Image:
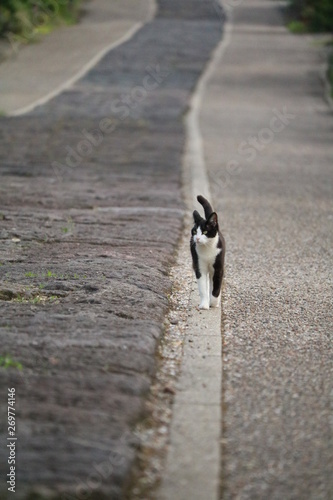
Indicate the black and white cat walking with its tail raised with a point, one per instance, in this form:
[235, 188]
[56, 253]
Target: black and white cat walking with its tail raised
[207, 249]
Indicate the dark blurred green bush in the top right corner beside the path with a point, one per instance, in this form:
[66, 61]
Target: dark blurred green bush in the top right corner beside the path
[311, 16]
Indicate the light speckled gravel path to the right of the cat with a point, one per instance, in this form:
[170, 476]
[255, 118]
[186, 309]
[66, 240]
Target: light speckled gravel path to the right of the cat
[268, 147]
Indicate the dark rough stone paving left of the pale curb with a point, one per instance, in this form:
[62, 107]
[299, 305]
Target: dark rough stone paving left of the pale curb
[91, 213]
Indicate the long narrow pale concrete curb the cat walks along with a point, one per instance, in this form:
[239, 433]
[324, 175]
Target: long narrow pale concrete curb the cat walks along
[193, 463]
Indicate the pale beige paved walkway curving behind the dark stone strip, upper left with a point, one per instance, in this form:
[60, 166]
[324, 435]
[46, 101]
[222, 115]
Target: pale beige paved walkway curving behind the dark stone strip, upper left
[38, 71]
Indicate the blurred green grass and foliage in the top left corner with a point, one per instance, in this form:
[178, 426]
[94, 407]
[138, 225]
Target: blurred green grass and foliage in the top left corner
[24, 19]
